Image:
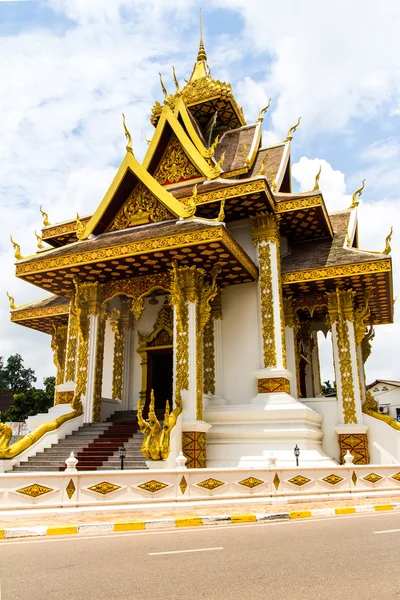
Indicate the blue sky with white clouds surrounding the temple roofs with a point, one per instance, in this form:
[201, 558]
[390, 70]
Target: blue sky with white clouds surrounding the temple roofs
[69, 68]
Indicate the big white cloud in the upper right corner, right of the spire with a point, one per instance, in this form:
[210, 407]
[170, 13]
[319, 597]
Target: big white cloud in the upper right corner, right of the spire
[331, 61]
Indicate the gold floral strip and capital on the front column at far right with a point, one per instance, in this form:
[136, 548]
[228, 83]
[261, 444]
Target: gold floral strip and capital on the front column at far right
[341, 313]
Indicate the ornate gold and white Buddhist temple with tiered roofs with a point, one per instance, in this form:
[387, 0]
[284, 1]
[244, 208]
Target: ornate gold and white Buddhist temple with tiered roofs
[194, 294]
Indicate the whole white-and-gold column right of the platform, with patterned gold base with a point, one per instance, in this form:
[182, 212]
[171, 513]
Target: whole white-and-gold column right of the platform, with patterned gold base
[352, 434]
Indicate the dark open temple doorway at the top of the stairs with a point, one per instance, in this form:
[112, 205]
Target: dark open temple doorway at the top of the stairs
[159, 377]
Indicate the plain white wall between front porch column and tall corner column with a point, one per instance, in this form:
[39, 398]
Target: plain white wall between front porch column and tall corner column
[240, 351]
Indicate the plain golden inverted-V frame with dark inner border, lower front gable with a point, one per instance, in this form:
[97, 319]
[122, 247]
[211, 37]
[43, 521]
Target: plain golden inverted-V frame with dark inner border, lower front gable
[110, 205]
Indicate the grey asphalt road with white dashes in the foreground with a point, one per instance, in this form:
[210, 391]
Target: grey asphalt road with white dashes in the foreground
[341, 557]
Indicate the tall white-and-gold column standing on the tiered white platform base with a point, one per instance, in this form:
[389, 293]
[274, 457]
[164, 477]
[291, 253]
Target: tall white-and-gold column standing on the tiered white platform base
[265, 232]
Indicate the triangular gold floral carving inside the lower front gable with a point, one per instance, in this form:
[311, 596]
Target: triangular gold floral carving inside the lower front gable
[140, 207]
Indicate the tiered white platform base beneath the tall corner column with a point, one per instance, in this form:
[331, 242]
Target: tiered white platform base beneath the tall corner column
[246, 435]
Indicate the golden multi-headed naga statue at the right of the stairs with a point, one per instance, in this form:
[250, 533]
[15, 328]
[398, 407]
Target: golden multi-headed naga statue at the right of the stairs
[156, 443]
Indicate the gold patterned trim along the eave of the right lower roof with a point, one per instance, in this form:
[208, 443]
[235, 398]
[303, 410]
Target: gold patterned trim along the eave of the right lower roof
[379, 266]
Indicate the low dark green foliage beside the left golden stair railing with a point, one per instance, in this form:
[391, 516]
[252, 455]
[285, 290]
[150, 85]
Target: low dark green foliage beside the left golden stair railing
[31, 402]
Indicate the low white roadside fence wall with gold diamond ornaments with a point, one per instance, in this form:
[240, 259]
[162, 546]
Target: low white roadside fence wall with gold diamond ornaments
[95, 488]
